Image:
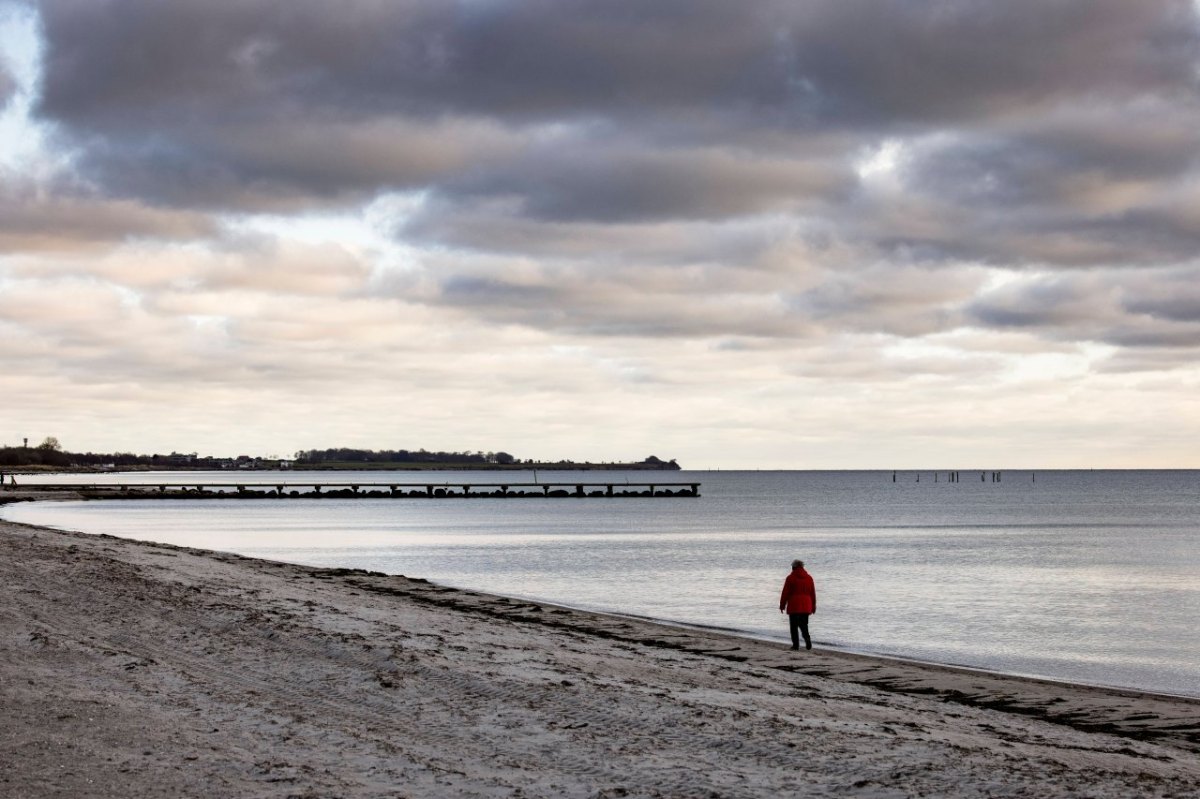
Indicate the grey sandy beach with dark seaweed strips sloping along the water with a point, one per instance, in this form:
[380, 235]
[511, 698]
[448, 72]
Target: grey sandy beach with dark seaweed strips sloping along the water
[139, 670]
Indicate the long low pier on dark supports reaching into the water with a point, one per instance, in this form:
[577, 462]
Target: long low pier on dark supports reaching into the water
[325, 489]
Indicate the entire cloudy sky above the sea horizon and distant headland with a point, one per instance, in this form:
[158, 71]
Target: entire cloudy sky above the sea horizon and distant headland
[742, 235]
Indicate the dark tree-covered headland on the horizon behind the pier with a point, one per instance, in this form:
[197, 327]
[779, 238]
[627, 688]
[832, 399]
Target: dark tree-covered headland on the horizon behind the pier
[50, 456]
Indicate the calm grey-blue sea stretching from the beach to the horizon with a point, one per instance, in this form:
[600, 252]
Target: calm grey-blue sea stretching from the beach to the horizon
[1082, 576]
